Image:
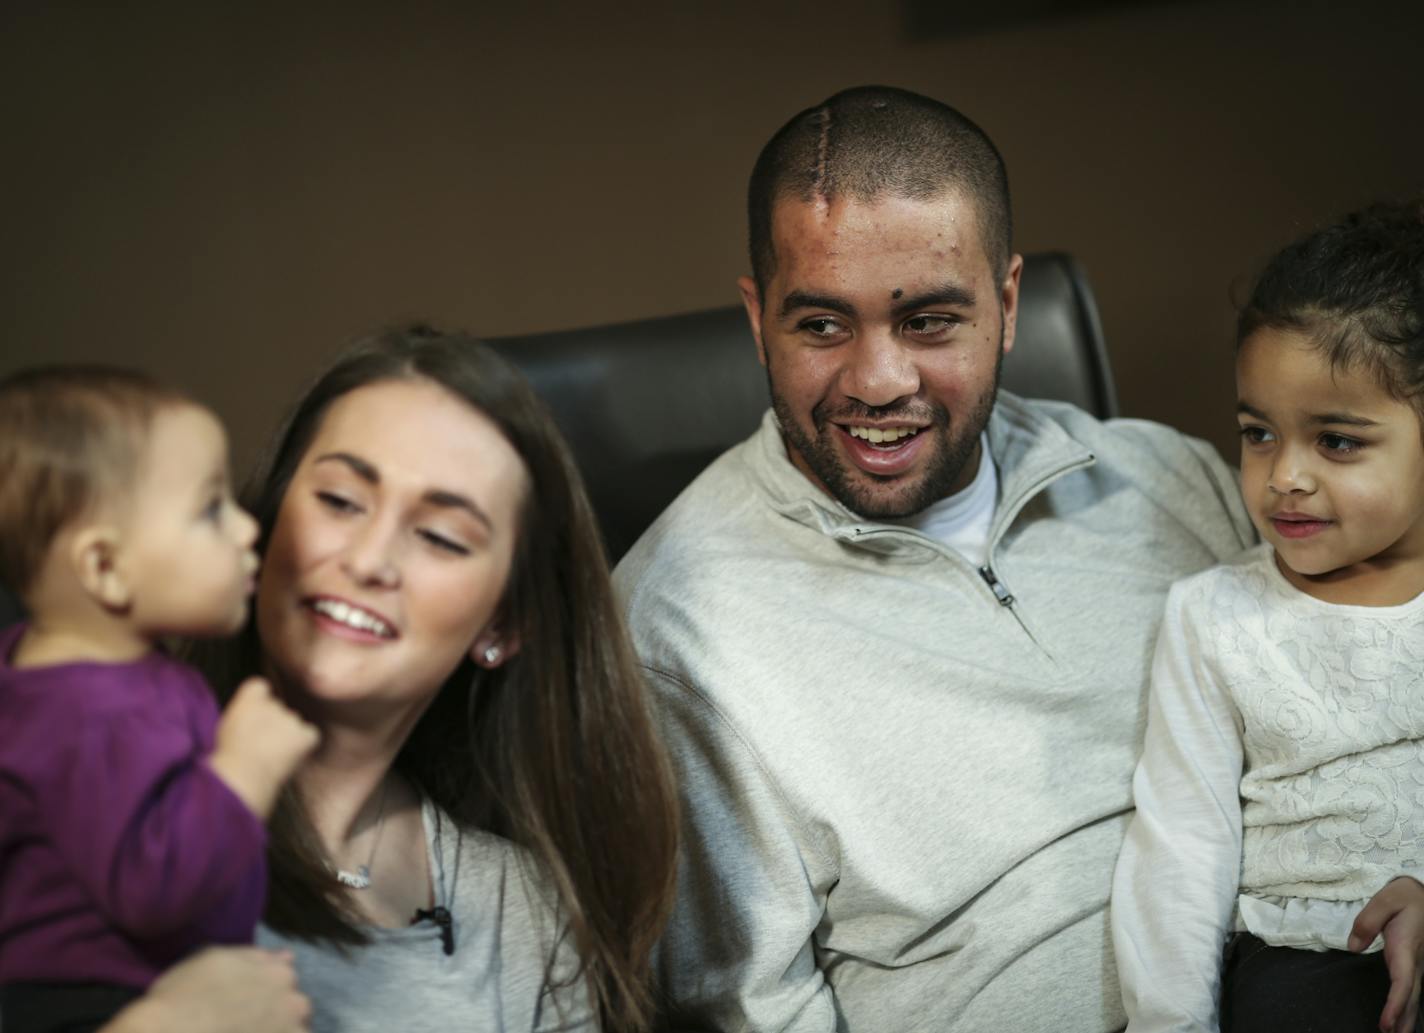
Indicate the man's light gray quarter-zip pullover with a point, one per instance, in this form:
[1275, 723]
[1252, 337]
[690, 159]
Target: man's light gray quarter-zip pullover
[906, 783]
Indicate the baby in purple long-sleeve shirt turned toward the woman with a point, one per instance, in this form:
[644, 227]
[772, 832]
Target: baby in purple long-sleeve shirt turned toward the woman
[132, 826]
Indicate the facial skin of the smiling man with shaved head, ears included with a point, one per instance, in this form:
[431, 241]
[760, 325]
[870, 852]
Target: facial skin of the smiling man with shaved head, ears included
[884, 316]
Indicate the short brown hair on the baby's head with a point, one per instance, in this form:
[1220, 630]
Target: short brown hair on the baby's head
[68, 437]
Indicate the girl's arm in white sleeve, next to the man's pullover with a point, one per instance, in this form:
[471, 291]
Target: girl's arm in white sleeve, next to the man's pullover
[1178, 874]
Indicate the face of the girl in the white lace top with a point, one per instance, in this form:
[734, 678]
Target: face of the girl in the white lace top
[1332, 468]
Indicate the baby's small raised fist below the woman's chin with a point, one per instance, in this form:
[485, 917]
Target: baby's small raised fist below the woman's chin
[260, 744]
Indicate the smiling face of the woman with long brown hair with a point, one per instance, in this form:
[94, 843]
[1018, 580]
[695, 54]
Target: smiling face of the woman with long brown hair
[391, 552]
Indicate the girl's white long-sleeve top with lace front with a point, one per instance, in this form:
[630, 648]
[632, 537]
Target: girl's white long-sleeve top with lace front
[1281, 786]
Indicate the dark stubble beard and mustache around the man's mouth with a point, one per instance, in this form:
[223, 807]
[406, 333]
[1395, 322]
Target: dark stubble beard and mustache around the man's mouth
[849, 487]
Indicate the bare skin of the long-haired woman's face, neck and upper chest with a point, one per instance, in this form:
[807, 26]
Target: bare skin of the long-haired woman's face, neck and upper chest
[421, 539]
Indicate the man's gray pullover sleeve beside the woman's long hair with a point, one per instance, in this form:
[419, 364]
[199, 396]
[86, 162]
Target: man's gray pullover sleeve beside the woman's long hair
[753, 886]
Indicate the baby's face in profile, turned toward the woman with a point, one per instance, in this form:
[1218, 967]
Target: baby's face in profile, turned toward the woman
[187, 548]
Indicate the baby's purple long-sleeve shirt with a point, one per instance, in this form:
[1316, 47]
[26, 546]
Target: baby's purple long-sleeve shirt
[120, 848]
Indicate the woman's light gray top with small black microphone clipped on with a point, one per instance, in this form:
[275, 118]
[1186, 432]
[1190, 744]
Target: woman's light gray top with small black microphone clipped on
[503, 923]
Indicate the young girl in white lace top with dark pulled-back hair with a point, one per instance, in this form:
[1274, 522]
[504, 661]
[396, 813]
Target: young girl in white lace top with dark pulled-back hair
[1281, 793]
